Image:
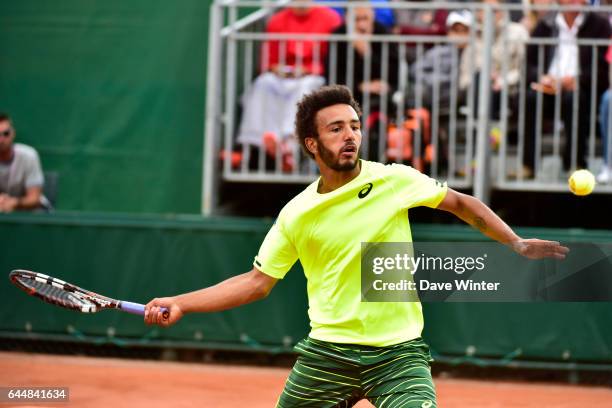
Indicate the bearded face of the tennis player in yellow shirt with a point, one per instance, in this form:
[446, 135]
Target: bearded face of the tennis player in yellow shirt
[339, 137]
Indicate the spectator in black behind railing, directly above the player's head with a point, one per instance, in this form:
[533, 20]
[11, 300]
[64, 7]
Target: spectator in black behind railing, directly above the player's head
[377, 85]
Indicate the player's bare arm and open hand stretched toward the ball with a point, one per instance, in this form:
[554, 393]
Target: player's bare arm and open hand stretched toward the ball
[477, 214]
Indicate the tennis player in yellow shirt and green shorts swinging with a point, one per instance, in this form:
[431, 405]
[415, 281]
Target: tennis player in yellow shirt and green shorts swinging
[355, 349]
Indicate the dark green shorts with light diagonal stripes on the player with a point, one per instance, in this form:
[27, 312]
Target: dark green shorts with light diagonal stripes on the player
[338, 375]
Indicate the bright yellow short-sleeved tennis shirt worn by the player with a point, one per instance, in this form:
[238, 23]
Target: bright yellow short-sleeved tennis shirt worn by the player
[325, 232]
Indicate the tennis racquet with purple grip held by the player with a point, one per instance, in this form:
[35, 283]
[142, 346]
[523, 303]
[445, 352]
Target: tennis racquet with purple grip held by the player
[64, 294]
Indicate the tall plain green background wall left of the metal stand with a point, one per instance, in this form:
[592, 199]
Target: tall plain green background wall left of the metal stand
[111, 93]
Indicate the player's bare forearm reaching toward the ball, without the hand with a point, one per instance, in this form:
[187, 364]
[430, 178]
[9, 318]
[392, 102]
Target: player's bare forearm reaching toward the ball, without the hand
[478, 215]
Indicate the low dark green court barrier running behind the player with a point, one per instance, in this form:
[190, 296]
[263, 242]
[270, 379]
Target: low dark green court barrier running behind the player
[137, 258]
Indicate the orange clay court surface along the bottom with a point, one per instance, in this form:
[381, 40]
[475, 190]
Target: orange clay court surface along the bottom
[116, 383]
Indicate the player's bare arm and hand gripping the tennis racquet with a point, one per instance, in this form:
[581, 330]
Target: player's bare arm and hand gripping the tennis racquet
[230, 293]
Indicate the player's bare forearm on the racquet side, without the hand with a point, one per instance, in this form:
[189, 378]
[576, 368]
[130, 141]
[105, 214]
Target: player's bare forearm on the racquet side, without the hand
[230, 293]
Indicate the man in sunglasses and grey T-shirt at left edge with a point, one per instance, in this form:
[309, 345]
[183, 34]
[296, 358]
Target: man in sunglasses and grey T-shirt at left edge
[21, 177]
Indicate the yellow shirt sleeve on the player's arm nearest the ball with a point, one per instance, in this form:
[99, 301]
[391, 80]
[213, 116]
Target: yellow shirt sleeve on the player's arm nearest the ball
[415, 188]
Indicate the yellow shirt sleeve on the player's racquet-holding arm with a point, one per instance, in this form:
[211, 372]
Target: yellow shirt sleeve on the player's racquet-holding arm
[277, 253]
